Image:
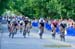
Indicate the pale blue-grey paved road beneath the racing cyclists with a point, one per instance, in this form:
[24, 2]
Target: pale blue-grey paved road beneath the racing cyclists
[33, 41]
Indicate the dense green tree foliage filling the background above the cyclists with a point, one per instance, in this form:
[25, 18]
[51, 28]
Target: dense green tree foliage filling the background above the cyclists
[40, 8]
